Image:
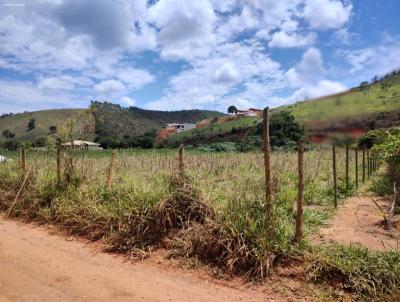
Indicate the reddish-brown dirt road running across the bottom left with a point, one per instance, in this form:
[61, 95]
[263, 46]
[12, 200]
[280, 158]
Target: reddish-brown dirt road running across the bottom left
[38, 266]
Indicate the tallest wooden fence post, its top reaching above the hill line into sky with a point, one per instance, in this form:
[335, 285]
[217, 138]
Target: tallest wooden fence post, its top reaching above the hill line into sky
[267, 167]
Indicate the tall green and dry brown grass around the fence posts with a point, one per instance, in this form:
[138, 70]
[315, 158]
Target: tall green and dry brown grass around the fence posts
[214, 212]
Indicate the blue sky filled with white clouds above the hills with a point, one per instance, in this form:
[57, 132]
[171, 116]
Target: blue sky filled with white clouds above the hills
[190, 54]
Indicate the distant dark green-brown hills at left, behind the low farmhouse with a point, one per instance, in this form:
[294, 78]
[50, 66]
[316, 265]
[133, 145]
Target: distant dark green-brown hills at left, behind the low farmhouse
[97, 121]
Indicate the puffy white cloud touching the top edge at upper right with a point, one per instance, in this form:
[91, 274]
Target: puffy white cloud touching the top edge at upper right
[322, 14]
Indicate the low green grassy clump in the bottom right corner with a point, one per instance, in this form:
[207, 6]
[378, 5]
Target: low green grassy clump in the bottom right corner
[357, 269]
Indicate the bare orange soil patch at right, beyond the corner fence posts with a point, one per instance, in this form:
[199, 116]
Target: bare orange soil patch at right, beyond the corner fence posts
[360, 221]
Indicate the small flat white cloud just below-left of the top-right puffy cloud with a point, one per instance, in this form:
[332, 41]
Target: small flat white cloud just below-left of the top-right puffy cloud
[283, 40]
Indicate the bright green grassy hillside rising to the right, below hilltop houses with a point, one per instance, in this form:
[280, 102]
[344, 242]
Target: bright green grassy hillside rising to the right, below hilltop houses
[375, 105]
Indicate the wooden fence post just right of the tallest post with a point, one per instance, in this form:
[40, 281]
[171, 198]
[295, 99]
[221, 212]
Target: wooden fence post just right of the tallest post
[300, 193]
